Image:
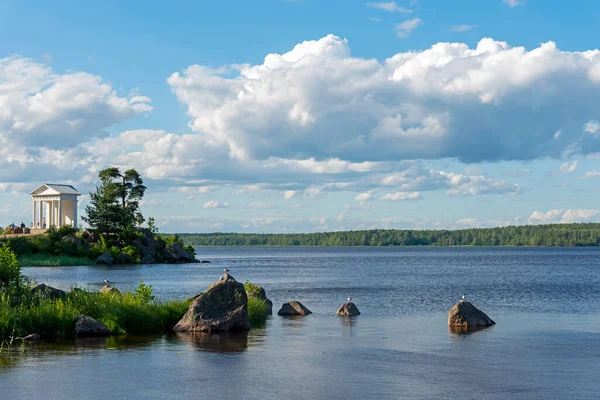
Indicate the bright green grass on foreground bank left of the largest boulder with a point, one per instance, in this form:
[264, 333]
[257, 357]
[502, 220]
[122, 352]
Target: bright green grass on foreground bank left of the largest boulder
[54, 319]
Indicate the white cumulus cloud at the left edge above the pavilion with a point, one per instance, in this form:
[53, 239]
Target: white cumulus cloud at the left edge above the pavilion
[40, 108]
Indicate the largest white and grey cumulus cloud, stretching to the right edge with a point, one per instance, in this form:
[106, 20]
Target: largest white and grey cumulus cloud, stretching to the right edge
[414, 105]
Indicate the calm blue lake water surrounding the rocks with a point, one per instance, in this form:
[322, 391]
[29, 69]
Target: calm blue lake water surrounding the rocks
[546, 344]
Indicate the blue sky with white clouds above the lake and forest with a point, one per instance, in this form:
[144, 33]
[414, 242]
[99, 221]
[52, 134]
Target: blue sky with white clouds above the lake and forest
[305, 116]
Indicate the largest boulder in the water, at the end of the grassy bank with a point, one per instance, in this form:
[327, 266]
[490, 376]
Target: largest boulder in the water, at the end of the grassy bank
[223, 307]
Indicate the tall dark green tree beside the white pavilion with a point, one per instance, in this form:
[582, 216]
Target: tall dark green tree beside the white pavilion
[114, 206]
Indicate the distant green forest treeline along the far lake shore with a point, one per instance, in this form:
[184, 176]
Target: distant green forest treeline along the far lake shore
[587, 234]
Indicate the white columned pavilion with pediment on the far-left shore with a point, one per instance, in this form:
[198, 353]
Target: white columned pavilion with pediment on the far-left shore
[54, 205]
